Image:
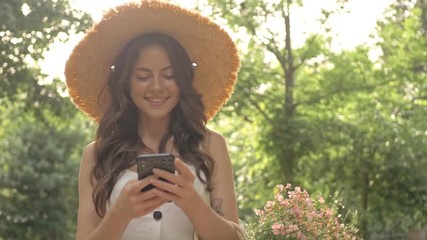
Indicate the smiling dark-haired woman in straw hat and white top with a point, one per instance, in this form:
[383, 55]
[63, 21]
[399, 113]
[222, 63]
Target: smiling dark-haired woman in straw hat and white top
[156, 100]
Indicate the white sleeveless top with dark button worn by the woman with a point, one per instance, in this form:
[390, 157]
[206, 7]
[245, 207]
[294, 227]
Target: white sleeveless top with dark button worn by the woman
[173, 224]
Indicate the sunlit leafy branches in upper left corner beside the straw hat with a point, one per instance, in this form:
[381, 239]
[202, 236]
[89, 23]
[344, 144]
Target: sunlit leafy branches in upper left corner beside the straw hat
[27, 28]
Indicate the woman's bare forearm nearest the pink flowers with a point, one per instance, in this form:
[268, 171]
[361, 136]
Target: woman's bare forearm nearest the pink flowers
[209, 225]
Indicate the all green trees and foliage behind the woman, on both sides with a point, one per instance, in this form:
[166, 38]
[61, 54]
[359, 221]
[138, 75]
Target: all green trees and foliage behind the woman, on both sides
[337, 123]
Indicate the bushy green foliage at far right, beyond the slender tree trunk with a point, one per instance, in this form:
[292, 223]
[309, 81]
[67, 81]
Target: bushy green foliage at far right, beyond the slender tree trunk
[371, 130]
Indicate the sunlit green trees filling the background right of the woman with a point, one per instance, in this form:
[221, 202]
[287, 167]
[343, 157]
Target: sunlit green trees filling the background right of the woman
[357, 131]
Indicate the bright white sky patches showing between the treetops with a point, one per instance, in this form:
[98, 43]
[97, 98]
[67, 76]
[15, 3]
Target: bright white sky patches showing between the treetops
[352, 28]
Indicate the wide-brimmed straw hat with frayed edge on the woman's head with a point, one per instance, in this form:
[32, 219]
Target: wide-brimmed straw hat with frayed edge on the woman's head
[207, 44]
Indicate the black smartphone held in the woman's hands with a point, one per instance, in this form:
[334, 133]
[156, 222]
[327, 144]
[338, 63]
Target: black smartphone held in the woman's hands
[146, 162]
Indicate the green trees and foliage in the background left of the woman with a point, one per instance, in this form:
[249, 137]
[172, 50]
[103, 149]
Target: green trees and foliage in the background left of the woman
[41, 132]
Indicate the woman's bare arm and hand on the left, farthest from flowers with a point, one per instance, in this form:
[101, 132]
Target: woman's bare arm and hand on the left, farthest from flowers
[131, 203]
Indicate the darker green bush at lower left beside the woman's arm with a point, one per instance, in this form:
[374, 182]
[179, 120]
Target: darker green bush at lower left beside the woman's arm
[38, 181]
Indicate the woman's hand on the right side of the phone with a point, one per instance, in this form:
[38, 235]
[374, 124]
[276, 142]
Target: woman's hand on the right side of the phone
[180, 188]
